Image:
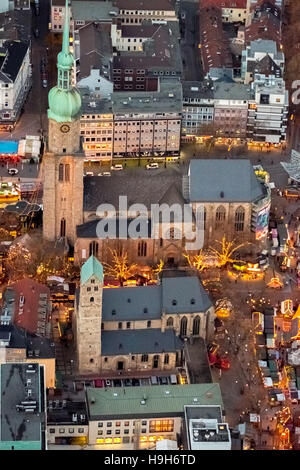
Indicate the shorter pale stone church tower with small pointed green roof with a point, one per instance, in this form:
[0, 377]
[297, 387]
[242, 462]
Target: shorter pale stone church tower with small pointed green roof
[88, 317]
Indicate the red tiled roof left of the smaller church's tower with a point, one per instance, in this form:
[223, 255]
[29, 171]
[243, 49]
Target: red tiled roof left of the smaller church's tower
[28, 315]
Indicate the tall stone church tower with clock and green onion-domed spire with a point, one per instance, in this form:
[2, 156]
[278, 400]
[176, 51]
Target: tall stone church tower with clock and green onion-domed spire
[63, 160]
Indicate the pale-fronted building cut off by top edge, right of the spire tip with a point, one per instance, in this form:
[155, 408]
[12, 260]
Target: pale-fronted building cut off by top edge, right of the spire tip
[137, 11]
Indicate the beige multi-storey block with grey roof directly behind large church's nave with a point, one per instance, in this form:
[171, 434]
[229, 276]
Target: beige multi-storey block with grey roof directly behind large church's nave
[148, 123]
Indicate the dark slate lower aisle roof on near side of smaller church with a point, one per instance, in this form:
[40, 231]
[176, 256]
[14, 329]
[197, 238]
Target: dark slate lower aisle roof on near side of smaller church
[148, 341]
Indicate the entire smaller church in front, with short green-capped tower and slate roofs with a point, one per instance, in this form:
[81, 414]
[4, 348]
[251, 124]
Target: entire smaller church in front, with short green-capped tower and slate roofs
[145, 335]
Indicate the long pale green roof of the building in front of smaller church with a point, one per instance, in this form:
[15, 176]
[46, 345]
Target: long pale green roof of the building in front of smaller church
[113, 403]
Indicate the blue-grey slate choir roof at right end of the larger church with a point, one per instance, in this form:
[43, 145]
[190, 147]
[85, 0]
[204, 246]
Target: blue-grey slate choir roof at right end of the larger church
[223, 181]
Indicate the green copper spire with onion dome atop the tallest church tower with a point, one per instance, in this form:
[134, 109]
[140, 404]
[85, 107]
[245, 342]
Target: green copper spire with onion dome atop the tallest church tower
[64, 99]
